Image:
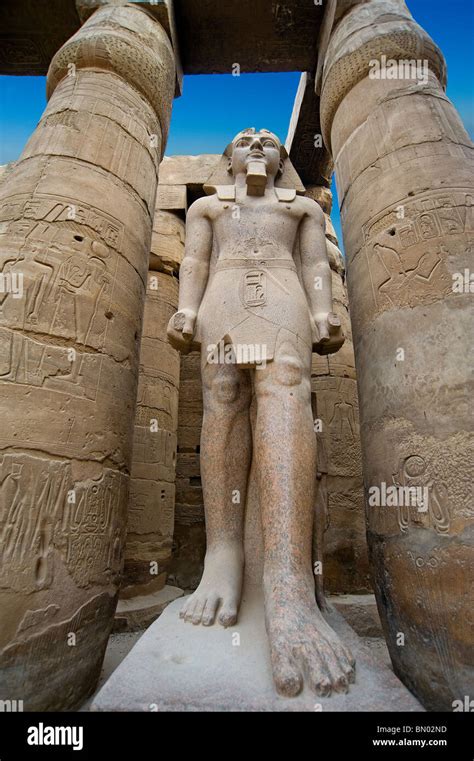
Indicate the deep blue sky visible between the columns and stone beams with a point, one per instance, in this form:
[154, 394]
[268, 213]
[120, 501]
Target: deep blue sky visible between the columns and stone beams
[214, 107]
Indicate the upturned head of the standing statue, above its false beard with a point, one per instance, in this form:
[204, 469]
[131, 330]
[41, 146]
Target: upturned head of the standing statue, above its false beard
[250, 146]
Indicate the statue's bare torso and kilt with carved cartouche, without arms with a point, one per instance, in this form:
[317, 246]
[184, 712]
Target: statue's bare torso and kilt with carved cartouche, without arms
[254, 291]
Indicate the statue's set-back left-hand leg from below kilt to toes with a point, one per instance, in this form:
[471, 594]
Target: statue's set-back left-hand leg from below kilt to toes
[226, 451]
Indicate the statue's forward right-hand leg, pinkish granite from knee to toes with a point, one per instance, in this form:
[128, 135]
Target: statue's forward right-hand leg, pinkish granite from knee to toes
[302, 645]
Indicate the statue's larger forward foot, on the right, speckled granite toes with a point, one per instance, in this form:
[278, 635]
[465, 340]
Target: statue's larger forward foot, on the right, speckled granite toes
[303, 646]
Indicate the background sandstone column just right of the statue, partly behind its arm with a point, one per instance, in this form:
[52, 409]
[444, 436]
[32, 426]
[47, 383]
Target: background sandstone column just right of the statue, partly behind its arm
[333, 382]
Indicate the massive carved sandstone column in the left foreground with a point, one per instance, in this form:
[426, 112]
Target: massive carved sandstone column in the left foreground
[76, 221]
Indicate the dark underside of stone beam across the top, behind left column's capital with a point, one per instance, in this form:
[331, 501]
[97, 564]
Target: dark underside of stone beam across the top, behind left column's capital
[213, 35]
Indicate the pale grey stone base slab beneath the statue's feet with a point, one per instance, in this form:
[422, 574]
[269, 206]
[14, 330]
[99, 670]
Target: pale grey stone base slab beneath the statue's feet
[176, 666]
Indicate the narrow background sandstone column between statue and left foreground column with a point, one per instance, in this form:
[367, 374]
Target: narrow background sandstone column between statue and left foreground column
[152, 493]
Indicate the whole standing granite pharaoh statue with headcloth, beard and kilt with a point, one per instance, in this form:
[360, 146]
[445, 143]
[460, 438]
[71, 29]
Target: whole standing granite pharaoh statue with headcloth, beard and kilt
[249, 300]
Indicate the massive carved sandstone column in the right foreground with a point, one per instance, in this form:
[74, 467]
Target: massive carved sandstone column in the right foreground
[405, 184]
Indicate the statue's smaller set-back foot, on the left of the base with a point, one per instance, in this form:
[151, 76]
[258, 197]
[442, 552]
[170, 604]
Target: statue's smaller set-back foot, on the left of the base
[220, 588]
